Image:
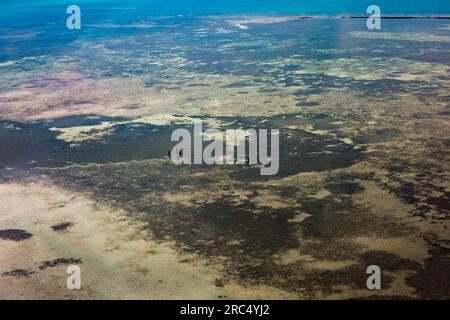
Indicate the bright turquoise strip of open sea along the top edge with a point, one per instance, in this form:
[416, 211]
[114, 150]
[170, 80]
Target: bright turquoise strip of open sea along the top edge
[33, 12]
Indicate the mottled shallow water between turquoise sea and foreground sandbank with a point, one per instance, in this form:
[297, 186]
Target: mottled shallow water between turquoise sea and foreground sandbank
[363, 119]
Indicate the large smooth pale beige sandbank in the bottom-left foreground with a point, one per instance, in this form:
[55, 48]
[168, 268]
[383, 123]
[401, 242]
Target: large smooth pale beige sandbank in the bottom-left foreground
[118, 260]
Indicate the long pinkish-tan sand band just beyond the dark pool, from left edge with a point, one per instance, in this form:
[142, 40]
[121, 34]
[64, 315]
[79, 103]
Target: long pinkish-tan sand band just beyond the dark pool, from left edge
[62, 94]
